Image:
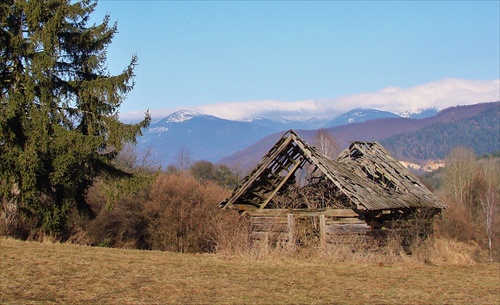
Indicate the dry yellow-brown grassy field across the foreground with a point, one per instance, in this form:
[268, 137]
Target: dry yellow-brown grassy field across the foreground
[47, 273]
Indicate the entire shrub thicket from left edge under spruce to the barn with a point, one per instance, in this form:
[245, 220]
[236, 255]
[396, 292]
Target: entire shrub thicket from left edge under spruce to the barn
[172, 210]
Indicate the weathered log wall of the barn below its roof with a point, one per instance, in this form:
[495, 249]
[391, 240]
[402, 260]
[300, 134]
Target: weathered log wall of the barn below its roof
[292, 228]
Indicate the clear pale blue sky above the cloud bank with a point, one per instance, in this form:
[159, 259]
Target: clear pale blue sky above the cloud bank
[200, 53]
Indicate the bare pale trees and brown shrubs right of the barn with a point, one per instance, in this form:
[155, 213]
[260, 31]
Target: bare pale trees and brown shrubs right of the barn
[470, 186]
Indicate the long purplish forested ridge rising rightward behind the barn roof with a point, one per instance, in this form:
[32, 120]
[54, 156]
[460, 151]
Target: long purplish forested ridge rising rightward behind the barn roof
[416, 140]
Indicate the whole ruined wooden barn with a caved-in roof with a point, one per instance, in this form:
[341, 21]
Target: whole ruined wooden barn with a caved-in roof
[296, 195]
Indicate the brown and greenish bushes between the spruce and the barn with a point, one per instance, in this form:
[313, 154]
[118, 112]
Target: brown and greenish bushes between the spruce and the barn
[174, 213]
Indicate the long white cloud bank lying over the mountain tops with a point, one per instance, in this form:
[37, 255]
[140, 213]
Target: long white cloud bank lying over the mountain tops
[439, 94]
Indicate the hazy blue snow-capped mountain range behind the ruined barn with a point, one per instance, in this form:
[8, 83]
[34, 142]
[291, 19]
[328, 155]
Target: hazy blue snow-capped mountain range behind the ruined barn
[242, 143]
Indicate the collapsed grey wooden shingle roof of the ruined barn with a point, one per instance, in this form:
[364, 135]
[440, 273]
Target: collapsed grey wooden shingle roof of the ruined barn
[365, 173]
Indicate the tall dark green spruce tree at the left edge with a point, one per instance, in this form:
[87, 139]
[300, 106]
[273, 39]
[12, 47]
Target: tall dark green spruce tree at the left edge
[59, 125]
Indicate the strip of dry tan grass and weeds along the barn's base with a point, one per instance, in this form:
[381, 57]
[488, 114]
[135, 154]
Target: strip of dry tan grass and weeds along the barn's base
[353, 248]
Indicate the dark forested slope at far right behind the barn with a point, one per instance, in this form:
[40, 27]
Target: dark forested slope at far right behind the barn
[481, 132]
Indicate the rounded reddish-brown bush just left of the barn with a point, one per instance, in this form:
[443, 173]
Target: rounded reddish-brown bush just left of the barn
[182, 214]
